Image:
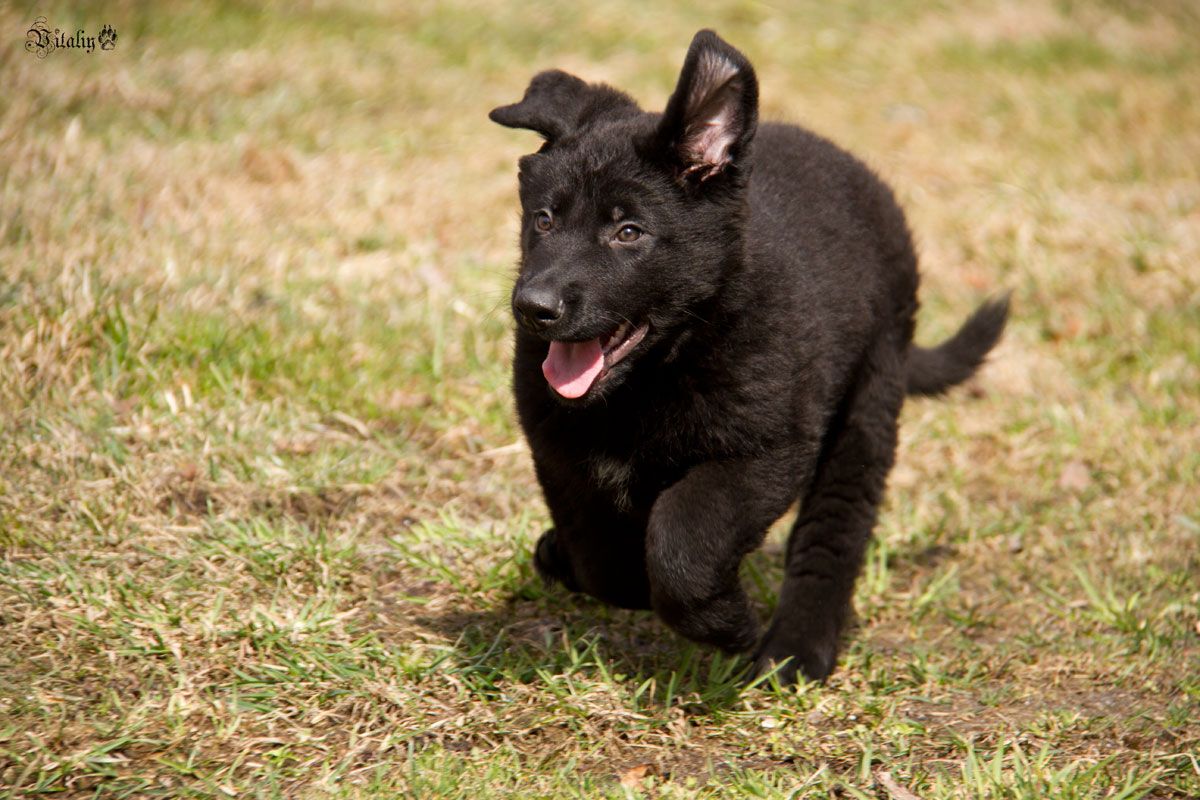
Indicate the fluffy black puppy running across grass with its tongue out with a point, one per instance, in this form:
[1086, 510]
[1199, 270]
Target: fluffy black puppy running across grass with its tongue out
[716, 321]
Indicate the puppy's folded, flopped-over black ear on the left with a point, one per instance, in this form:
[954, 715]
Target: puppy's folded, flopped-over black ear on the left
[557, 104]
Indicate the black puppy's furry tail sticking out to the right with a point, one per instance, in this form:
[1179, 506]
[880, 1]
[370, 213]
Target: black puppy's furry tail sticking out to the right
[932, 371]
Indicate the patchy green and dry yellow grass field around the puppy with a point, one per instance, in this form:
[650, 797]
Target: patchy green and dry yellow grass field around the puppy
[265, 509]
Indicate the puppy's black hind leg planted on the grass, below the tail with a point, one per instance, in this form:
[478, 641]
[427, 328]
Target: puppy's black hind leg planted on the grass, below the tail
[830, 538]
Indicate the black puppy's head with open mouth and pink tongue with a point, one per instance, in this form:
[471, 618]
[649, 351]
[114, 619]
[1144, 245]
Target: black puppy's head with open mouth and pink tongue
[631, 221]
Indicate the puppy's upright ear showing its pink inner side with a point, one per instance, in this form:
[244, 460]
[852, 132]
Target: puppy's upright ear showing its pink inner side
[712, 116]
